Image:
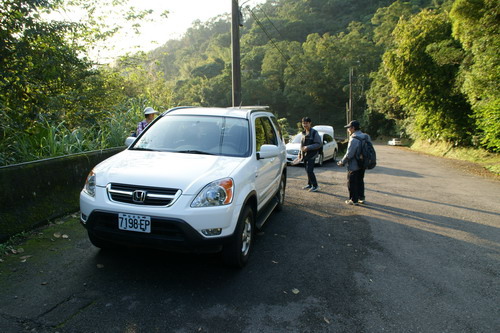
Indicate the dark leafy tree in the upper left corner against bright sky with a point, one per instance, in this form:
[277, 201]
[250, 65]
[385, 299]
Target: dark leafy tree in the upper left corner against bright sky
[37, 66]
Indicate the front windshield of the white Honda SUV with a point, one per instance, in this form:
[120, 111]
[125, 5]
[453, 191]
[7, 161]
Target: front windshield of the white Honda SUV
[190, 134]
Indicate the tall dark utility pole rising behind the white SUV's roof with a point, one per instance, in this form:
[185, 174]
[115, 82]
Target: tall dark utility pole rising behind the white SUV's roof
[235, 60]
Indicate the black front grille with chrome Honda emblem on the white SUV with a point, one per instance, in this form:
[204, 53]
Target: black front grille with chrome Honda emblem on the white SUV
[142, 195]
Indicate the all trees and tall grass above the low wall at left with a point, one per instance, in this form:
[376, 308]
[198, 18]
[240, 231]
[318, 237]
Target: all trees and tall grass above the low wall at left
[53, 99]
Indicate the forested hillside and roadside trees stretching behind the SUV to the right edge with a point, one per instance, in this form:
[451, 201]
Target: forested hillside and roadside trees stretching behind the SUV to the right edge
[422, 69]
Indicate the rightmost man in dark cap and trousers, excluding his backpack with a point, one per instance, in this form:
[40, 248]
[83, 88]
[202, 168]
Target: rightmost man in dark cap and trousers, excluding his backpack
[355, 173]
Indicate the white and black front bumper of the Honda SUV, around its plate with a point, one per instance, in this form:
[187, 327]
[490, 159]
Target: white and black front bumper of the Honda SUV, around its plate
[178, 227]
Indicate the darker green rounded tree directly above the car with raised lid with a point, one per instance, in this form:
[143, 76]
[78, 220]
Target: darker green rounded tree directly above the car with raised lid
[318, 77]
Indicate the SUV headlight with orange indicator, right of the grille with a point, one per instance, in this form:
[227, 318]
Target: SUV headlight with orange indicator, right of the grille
[217, 193]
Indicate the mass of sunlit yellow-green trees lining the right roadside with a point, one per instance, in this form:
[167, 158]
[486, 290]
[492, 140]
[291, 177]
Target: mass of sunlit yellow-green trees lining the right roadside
[439, 79]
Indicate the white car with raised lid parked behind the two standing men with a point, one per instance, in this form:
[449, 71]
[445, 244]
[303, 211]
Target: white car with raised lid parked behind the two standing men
[329, 149]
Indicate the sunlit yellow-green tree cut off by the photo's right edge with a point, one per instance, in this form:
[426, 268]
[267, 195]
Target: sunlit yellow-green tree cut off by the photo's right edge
[476, 25]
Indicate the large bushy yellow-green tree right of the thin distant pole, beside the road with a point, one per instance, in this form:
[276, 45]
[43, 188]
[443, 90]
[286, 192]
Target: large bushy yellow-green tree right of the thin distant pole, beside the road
[425, 82]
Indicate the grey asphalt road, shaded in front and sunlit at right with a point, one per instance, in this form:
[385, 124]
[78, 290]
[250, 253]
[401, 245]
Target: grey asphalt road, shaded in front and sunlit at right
[421, 256]
